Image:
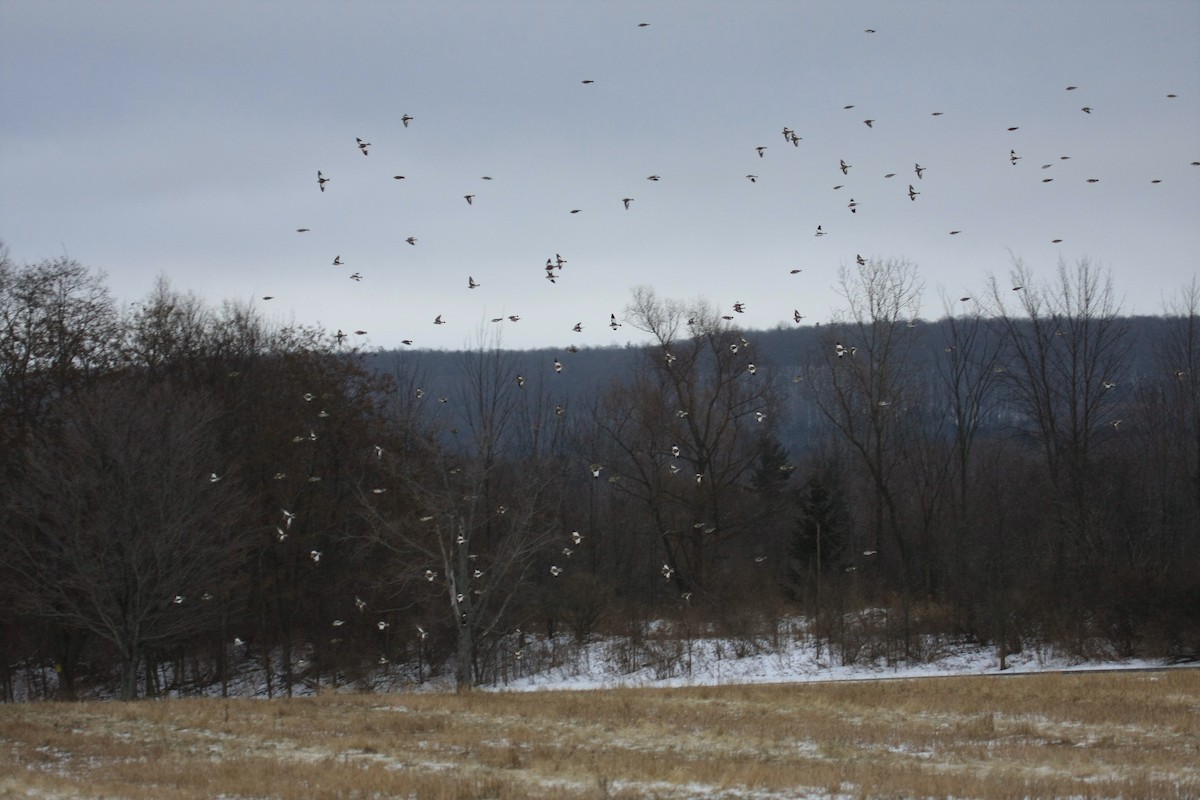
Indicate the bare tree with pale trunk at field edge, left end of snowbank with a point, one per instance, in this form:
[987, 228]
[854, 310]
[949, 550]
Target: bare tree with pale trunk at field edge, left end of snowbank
[463, 513]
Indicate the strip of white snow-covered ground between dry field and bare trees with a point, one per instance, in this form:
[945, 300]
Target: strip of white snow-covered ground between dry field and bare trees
[658, 659]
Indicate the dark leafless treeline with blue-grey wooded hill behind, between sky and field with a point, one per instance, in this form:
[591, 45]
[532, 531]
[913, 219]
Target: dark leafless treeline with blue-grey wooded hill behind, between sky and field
[188, 490]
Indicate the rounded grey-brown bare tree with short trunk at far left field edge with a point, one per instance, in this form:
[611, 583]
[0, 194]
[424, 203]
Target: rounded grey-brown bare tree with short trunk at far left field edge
[125, 524]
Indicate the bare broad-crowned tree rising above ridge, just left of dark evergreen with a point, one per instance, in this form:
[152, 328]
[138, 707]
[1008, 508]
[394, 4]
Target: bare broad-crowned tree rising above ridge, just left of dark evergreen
[688, 432]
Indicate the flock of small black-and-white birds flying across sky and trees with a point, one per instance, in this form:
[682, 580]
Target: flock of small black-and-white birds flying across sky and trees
[914, 189]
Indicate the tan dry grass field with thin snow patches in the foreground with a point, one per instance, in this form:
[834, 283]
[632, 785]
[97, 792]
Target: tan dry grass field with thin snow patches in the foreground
[1087, 736]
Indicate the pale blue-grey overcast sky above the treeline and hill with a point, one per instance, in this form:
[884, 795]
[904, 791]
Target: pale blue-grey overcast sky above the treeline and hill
[184, 140]
